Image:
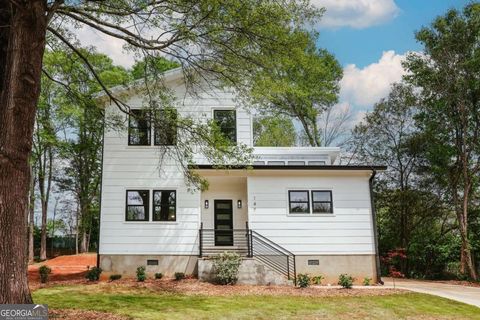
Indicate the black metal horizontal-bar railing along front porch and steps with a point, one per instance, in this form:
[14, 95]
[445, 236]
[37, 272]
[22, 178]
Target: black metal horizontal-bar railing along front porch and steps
[248, 243]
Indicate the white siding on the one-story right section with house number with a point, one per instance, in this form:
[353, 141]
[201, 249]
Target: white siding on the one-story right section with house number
[347, 231]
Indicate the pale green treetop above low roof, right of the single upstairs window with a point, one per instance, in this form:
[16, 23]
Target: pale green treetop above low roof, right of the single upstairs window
[273, 132]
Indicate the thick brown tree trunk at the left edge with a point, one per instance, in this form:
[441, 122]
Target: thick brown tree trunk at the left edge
[22, 44]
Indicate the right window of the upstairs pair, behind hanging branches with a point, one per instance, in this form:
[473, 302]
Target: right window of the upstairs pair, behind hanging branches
[166, 127]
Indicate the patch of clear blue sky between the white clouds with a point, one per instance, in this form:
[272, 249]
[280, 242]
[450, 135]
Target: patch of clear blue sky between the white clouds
[365, 46]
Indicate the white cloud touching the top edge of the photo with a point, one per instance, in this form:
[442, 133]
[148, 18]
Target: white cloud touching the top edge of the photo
[356, 13]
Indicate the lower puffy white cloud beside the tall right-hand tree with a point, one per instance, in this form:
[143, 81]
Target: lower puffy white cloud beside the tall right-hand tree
[366, 86]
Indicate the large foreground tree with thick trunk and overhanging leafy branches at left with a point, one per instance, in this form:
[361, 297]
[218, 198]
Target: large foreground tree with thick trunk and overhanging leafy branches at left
[230, 42]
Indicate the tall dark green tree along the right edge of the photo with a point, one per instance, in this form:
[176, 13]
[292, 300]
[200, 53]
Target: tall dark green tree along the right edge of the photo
[448, 75]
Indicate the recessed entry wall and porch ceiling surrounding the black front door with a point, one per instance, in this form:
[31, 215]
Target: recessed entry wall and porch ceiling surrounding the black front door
[225, 188]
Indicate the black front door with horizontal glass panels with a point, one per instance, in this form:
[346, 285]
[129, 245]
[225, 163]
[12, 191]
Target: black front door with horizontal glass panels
[223, 222]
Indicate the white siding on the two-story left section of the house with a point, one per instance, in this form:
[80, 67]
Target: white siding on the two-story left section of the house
[139, 167]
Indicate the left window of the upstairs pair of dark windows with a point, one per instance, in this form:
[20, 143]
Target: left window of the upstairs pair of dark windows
[138, 128]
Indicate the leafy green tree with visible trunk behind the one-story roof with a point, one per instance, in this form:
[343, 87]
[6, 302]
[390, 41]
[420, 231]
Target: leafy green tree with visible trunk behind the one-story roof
[302, 86]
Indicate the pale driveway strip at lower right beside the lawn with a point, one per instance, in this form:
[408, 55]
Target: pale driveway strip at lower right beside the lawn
[465, 294]
